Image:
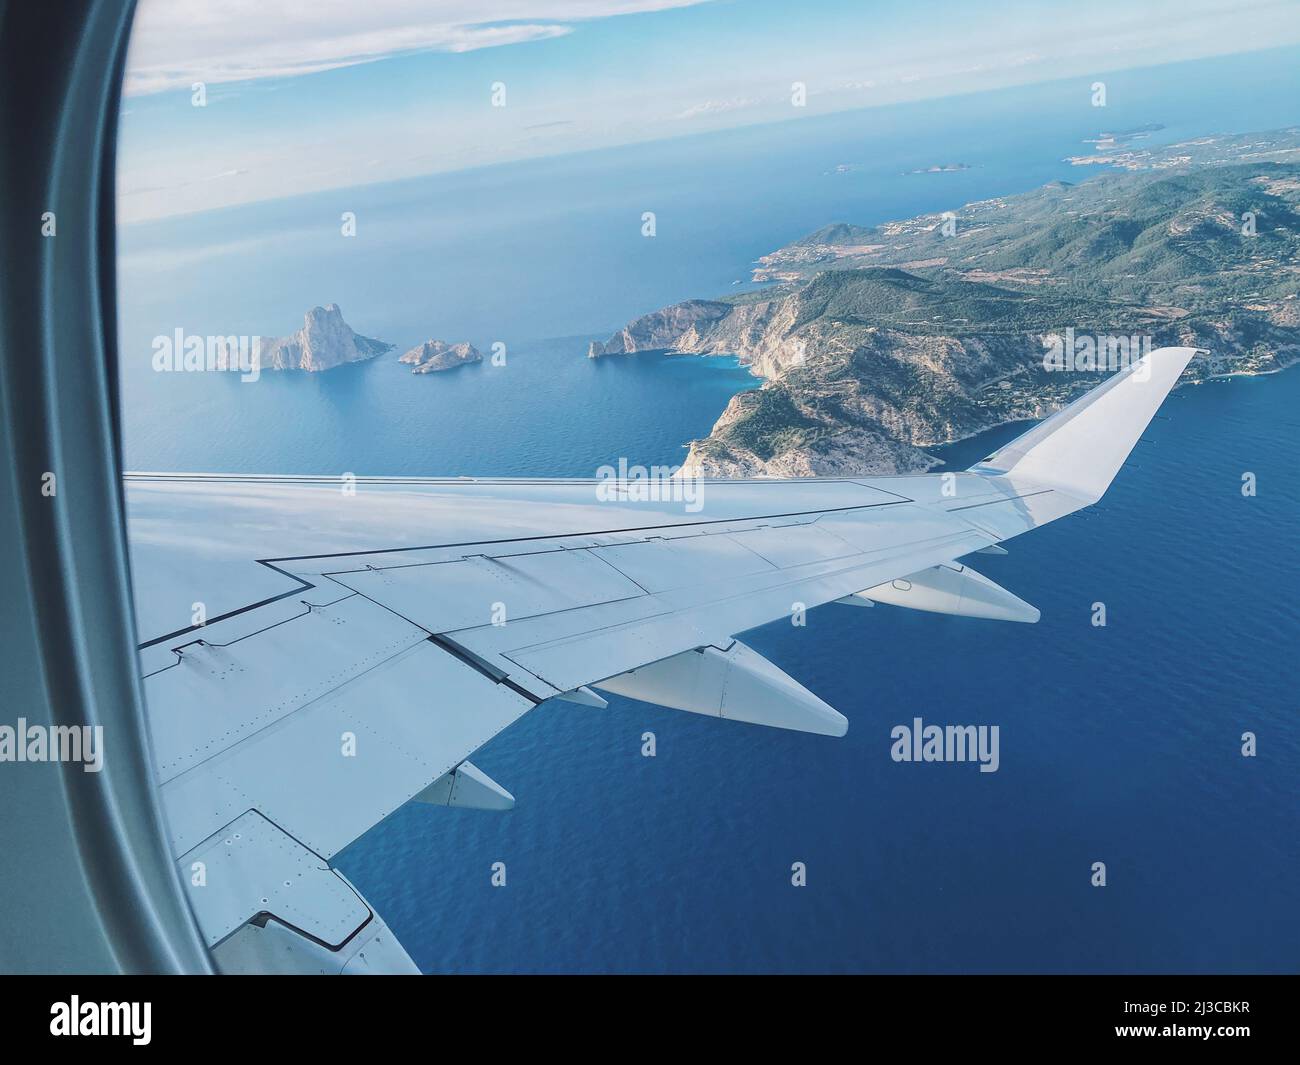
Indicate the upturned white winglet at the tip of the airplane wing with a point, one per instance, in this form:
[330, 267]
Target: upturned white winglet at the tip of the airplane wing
[1080, 449]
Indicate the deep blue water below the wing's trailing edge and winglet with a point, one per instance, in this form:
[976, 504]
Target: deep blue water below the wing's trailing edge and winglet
[1119, 744]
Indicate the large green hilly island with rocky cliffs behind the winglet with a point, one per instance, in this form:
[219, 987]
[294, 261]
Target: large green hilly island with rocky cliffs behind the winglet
[877, 344]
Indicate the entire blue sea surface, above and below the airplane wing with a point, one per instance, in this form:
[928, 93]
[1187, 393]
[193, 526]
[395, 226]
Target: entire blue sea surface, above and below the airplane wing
[1119, 744]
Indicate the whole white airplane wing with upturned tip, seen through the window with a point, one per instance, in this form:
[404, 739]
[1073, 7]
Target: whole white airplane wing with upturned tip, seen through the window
[320, 651]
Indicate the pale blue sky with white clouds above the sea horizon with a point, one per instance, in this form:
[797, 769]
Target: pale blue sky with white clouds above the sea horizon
[306, 96]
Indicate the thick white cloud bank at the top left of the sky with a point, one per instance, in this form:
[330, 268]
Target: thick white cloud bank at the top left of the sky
[176, 44]
